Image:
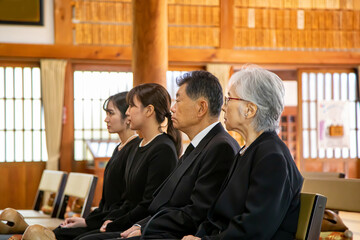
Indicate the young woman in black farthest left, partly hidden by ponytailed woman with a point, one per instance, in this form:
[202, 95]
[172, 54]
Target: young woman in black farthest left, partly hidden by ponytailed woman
[114, 182]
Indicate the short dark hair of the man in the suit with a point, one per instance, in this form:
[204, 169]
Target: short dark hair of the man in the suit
[203, 84]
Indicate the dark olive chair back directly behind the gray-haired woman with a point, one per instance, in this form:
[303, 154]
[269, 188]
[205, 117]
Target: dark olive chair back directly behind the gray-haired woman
[312, 207]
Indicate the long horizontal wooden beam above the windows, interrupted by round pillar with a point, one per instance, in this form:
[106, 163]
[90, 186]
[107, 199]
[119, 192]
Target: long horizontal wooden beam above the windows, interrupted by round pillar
[183, 56]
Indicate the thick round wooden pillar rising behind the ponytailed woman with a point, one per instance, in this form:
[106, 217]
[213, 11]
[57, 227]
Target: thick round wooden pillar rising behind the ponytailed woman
[150, 46]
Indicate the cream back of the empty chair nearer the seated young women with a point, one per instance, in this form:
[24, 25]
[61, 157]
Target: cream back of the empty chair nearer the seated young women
[79, 185]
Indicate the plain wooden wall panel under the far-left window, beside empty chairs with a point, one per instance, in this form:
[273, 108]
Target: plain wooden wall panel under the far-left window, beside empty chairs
[19, 183]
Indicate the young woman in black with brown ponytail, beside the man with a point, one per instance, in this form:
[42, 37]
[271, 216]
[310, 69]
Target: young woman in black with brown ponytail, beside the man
[153, 160]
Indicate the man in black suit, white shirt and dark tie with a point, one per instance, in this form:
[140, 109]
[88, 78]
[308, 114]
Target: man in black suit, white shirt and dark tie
[182, 202]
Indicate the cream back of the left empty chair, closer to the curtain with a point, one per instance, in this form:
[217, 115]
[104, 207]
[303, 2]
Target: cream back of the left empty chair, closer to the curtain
[51, 181]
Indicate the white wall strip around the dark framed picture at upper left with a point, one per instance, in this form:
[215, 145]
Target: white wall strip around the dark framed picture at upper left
[31, 34]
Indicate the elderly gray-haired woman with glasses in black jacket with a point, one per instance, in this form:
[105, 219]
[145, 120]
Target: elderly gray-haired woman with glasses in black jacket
[260, 199]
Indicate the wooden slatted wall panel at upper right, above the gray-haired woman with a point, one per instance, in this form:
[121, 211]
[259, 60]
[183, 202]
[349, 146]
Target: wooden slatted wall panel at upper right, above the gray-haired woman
[338, 26]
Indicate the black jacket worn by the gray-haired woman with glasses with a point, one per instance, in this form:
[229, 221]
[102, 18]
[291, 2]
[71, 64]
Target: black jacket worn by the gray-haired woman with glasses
[260, 198]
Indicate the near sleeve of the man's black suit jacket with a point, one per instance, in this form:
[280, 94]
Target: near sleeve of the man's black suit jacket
[214, 168]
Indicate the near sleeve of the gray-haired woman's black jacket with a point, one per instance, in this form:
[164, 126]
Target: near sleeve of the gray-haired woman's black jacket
[269, 197]
